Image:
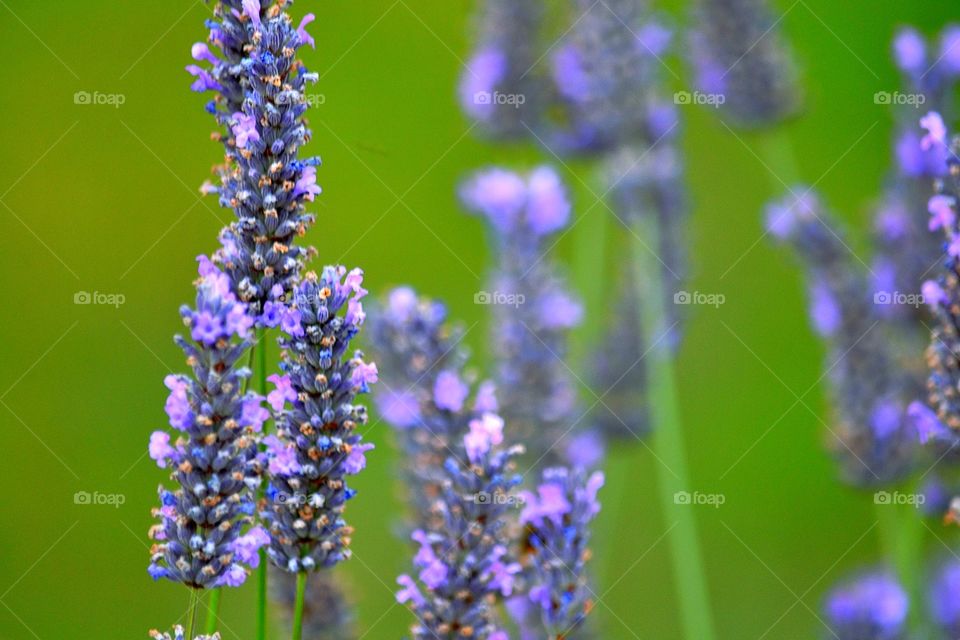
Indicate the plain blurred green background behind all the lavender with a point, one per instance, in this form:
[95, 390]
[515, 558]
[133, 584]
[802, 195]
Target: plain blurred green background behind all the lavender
[104, 198]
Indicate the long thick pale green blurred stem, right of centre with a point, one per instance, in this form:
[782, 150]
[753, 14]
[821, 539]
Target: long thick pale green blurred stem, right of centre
[667, 438]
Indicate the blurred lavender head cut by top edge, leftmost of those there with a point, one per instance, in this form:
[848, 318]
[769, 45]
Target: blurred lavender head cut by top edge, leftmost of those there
[499, 89]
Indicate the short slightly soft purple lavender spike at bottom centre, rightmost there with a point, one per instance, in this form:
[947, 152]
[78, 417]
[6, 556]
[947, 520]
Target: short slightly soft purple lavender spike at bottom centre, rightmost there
[557, 533]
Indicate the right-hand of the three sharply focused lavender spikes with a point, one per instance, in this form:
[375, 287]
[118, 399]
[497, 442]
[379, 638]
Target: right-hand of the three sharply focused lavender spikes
[317, 446]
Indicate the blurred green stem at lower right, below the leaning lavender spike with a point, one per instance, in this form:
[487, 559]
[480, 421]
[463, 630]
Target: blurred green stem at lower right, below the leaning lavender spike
[901, 541]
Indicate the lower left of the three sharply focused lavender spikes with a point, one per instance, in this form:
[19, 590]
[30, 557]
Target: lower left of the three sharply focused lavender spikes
[215, 461]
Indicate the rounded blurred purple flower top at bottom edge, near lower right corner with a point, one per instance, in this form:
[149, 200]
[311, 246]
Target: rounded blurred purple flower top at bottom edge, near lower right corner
[871, 607]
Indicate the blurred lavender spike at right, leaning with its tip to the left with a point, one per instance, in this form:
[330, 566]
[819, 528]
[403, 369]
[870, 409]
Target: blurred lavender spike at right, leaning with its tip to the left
[870, 382]
